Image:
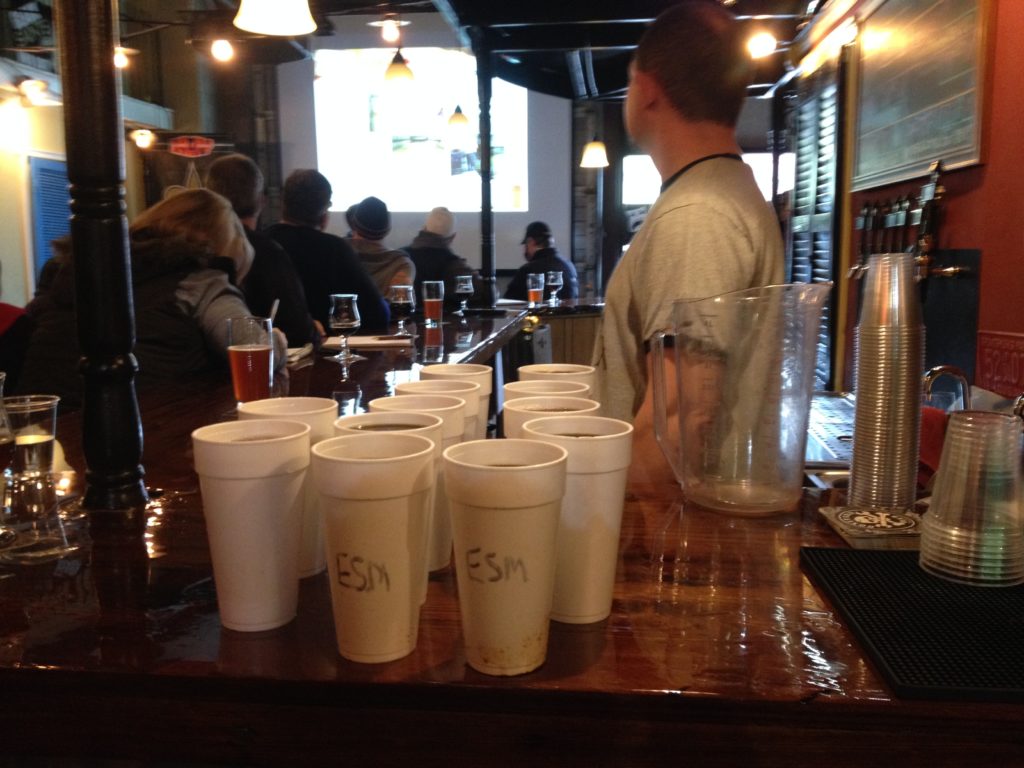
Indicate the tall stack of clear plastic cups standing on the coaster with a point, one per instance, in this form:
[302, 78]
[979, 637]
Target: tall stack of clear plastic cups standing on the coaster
[890, 359]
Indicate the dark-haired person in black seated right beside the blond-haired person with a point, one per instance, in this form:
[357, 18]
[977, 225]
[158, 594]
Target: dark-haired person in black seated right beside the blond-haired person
[273, 277]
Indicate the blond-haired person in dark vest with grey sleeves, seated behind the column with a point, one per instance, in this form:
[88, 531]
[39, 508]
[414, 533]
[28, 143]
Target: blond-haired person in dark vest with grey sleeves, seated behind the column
[188, 252]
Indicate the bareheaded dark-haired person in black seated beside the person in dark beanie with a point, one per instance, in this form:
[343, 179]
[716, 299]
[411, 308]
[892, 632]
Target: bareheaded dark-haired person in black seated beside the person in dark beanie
[325, 263]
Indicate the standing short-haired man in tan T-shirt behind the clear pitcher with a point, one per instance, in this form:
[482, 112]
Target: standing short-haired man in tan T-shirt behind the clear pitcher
[711, 231]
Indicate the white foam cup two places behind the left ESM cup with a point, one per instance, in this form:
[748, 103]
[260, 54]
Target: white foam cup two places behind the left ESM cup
[452, 411]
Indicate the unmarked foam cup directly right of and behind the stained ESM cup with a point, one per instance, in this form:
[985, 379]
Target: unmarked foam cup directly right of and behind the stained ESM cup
[600, 453]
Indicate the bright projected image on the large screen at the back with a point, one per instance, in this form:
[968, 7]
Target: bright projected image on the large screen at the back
[396, 140]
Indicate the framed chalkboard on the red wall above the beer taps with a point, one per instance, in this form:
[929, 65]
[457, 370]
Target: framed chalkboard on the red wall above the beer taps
[921, 82]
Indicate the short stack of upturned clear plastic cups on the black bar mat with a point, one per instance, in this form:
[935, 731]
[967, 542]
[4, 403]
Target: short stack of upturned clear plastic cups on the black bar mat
[974, 530]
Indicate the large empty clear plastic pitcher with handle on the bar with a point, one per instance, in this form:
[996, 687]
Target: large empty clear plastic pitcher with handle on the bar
[745, 374]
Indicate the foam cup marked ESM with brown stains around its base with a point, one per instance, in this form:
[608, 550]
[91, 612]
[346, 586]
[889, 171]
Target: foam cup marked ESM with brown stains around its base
[506, 497]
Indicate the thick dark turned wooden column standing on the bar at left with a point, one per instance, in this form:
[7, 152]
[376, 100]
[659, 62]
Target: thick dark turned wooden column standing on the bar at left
[112, 429]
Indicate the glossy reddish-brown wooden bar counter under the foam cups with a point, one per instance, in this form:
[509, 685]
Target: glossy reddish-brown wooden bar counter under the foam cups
[718, 652]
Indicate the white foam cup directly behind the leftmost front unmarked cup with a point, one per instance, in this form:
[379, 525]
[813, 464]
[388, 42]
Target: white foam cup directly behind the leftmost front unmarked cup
[320, 414]
